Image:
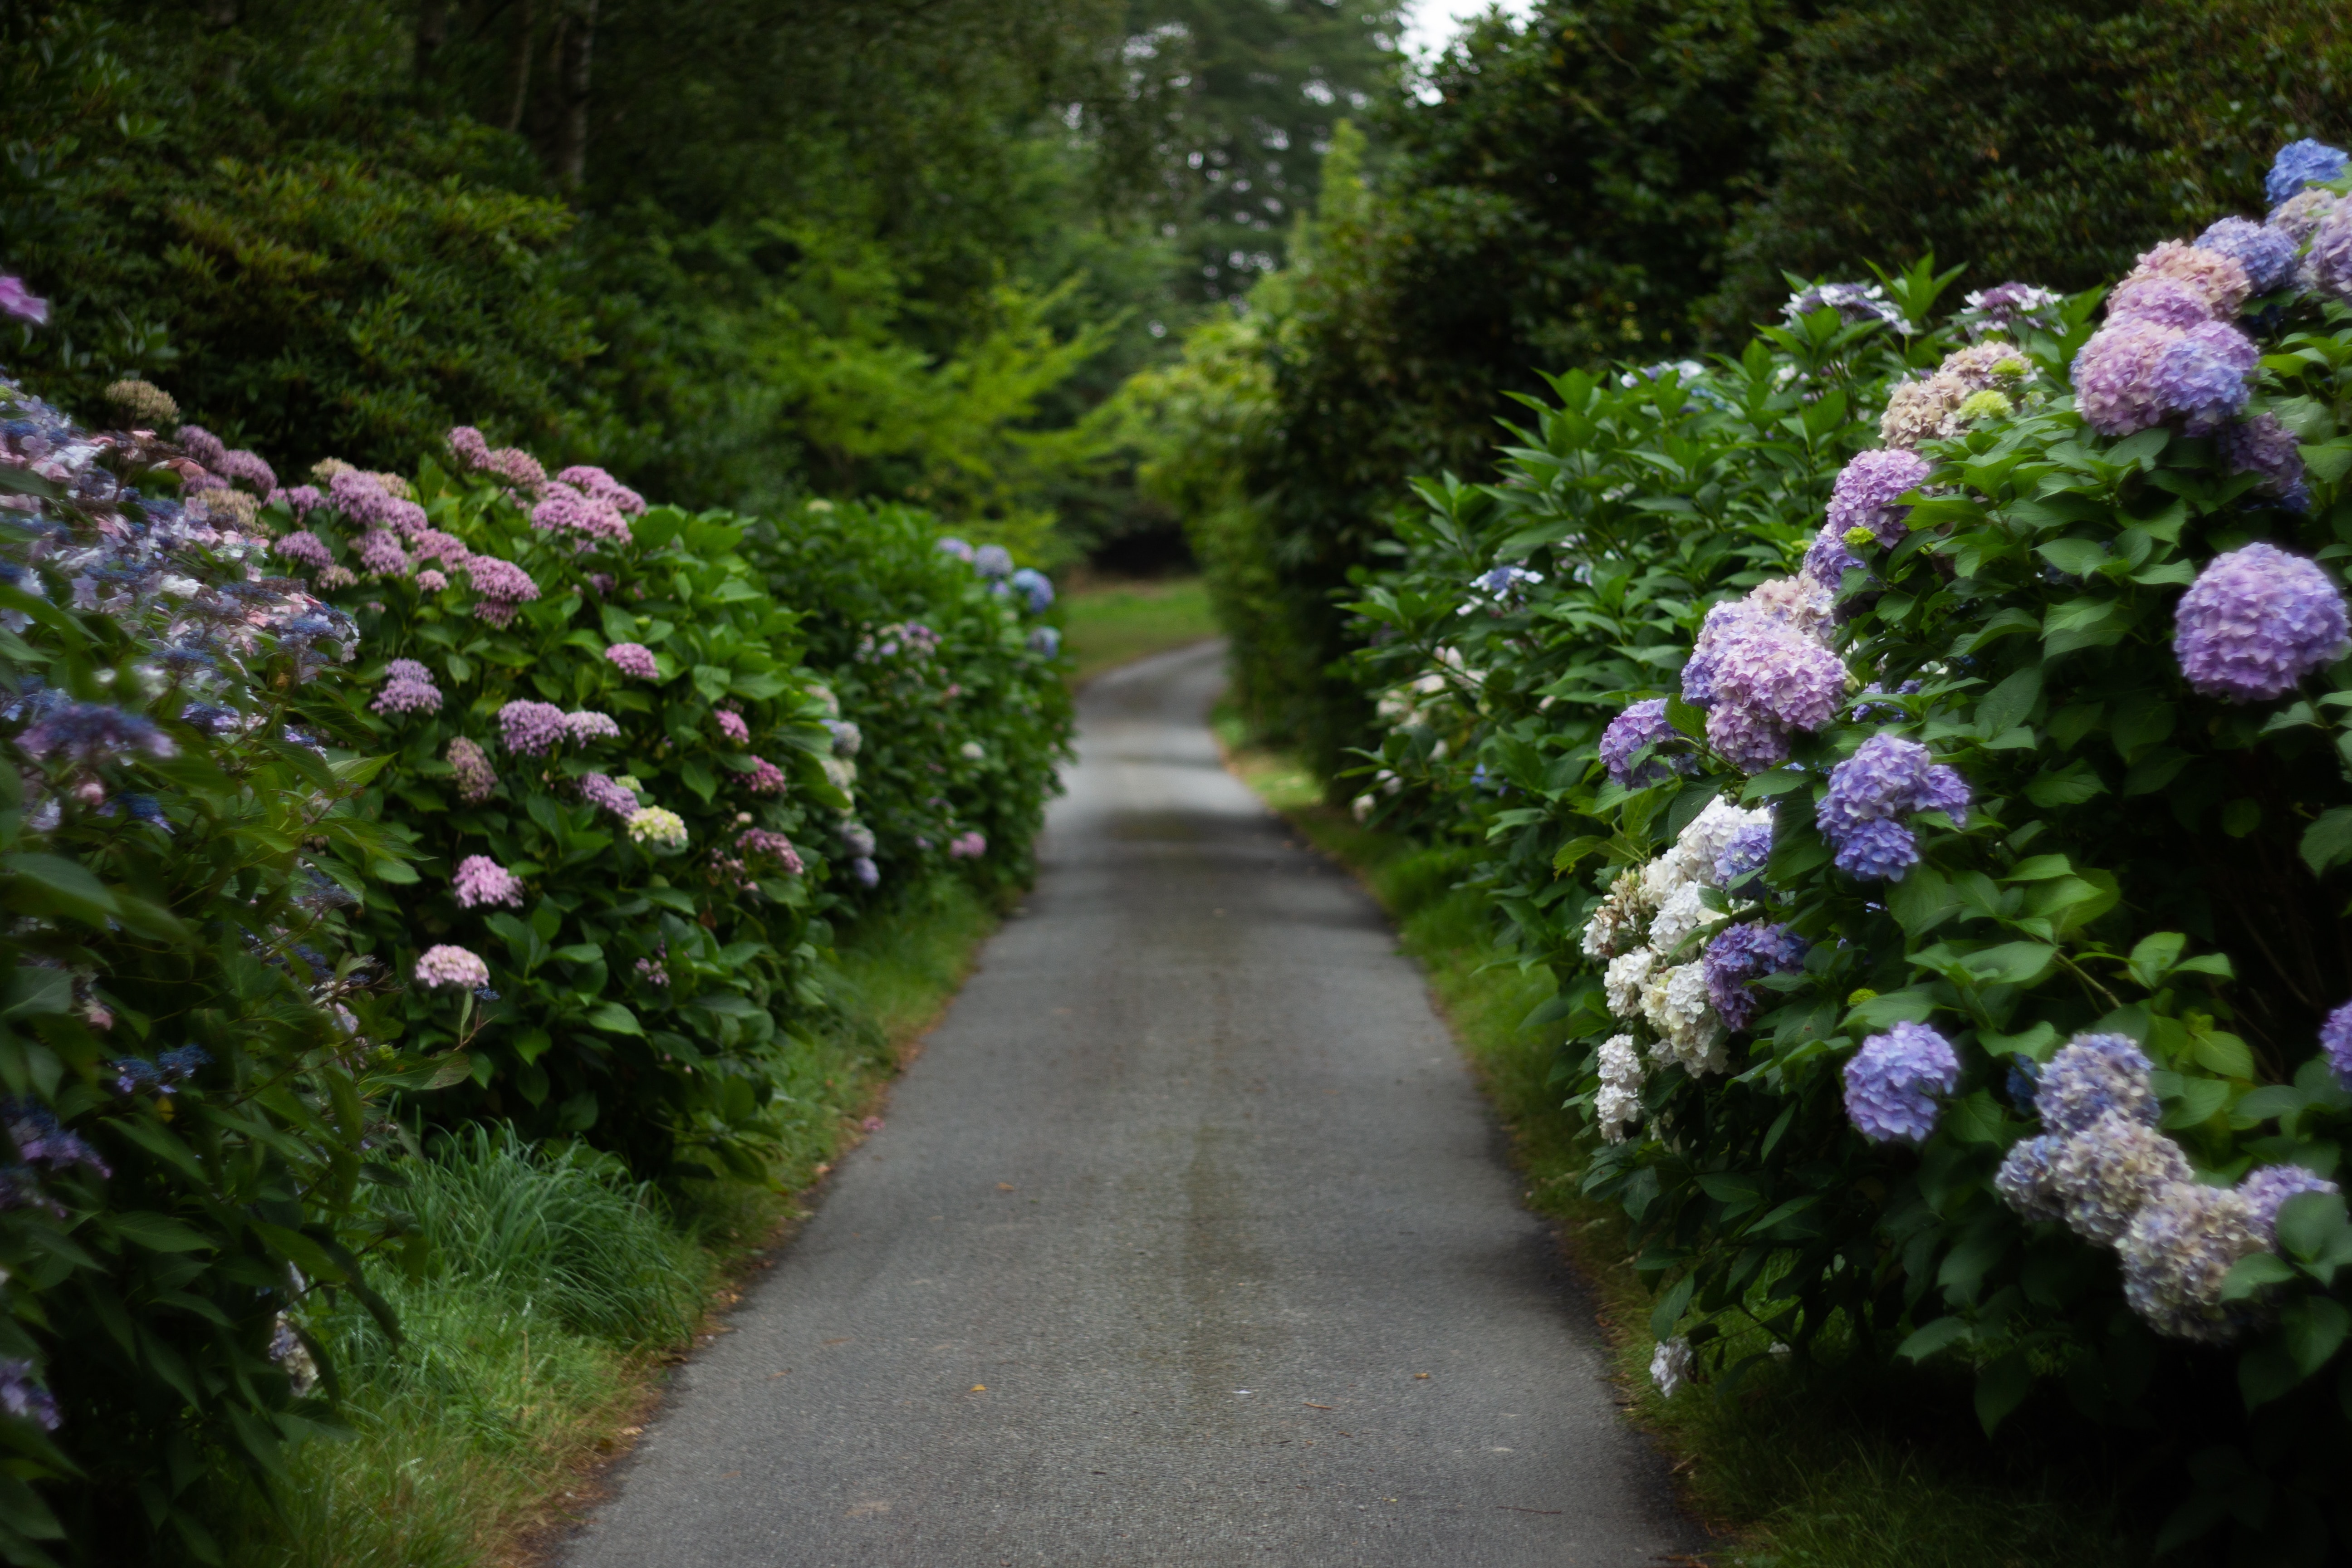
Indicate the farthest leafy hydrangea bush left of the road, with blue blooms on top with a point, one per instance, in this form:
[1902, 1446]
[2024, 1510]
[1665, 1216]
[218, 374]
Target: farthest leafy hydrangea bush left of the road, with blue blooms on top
[963, 737]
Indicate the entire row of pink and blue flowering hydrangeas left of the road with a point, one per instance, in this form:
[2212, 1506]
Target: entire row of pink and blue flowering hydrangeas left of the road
[385, 798]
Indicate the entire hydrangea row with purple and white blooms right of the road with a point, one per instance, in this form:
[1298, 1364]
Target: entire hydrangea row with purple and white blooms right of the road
[1920, 758]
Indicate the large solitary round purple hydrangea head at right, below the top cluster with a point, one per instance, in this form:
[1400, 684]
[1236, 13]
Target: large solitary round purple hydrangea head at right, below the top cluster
[2257, 622]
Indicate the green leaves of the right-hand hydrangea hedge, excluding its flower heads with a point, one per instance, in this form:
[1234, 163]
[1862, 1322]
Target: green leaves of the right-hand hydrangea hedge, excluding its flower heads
[2139, 859]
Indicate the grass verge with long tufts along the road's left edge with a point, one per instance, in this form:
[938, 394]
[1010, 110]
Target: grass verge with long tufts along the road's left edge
[549, 1294]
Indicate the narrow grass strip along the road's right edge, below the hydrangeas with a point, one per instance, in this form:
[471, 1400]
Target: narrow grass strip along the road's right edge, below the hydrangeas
[1833, 1466]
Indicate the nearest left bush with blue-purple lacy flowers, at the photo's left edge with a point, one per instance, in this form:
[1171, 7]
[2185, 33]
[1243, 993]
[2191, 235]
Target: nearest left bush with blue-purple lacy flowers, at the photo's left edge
[166, 897]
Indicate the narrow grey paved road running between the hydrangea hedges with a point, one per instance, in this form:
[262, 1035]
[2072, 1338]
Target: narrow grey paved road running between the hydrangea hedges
[1187, 1242]
